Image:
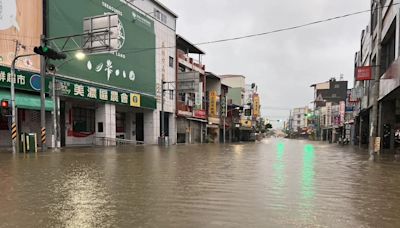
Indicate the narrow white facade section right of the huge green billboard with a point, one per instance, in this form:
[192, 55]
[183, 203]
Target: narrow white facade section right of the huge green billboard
[165, 29]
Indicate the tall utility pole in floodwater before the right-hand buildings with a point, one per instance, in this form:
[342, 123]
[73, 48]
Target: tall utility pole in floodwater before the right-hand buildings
[375, 94]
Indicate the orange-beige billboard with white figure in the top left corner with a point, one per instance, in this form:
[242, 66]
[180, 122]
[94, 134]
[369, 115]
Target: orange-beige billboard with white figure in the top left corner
[20, 20]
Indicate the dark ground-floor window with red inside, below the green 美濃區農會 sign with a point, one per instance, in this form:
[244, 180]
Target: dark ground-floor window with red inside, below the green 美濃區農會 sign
[83, 120]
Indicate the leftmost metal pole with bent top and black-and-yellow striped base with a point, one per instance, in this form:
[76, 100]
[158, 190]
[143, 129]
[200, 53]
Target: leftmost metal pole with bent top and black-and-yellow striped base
[13, 108]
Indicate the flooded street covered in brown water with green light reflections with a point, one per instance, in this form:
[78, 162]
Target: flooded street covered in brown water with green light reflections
[274, 183]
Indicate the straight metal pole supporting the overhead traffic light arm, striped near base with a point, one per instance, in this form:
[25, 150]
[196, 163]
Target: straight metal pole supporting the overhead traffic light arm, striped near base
[43, 97]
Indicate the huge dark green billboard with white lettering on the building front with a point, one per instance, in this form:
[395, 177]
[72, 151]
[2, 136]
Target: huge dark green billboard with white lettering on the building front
[130, 68]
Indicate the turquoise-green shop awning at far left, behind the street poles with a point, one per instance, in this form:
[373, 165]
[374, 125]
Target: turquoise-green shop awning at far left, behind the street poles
[27, 101]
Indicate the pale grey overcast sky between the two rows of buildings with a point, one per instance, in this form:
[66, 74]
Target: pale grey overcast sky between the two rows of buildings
[284, 65]
